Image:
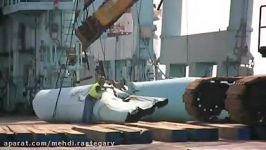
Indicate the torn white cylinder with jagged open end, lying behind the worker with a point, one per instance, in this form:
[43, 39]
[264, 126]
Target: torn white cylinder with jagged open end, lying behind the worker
[110, 108]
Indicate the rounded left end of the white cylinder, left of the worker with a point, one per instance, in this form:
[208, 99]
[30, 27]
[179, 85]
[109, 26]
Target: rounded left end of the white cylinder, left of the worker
[69, 107]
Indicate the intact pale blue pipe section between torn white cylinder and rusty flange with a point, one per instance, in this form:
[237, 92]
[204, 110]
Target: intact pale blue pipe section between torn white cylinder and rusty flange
[173, 89]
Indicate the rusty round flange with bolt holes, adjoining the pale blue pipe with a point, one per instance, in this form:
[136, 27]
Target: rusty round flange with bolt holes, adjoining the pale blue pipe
[204, 98]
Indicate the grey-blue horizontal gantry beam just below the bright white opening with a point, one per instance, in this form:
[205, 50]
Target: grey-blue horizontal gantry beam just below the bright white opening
[207, 47]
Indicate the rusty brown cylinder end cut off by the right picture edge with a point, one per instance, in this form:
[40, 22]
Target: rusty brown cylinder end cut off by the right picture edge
[246, 100]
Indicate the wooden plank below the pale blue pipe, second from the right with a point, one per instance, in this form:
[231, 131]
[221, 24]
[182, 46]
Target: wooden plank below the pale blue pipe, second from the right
[197, 132]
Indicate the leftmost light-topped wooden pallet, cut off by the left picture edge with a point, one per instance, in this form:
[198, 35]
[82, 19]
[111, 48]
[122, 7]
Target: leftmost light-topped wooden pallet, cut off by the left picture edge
[38, 133]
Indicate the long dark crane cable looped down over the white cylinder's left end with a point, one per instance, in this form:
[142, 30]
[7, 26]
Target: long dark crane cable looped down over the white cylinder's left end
[66, 65]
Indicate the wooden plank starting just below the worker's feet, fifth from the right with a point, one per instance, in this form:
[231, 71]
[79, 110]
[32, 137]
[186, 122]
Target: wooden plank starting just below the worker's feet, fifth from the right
[100, 134]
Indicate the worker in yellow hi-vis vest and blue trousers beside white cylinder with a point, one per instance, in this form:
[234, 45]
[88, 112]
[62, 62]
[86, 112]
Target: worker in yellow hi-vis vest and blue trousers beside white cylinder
[95, 93]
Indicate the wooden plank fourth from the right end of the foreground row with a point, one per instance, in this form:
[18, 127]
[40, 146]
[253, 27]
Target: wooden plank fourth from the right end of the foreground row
[132, 135]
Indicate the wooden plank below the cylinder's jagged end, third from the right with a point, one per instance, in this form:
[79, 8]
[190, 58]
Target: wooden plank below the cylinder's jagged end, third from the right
[164, 133]
